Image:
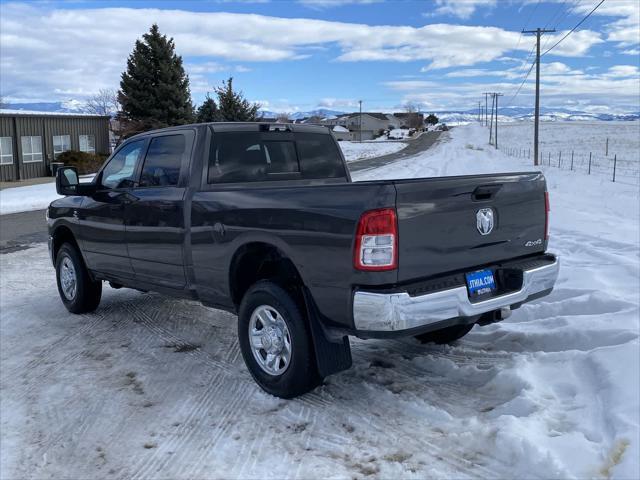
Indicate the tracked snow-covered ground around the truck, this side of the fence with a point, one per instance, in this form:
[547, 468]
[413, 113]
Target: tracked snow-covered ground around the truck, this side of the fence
[149, 387]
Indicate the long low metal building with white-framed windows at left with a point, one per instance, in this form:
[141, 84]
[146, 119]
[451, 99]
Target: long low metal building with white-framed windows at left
[30, 141]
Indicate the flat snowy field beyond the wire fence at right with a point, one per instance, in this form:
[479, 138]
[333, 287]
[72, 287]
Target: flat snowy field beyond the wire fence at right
[559, 139]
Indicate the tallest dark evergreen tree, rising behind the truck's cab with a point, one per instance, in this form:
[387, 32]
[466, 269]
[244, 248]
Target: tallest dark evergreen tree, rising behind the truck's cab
[154, 90]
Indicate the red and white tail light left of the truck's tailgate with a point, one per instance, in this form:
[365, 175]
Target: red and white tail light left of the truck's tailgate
[377, 241]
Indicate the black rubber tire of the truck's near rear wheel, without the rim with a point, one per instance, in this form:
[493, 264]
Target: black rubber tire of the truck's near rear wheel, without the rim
[301, 373]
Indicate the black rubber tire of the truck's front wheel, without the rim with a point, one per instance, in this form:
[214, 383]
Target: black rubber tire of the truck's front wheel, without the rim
[87, 291]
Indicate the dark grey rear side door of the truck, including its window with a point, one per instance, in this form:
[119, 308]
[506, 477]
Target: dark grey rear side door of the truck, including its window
[155, 219]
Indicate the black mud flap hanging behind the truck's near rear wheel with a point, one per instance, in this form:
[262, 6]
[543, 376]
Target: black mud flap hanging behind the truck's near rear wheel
[332, 355]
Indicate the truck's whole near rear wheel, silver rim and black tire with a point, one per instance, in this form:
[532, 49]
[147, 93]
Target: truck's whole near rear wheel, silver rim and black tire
[275, 341]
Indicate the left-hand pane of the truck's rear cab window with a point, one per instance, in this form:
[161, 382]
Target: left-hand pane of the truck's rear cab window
[237, 157]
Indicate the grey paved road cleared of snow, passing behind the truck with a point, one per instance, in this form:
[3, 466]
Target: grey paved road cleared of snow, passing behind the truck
[20, 229]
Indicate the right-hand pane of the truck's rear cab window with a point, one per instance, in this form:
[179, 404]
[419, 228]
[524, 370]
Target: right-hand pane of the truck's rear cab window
[319, 156]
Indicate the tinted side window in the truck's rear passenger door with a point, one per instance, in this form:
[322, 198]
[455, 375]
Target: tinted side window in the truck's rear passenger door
[162, 164]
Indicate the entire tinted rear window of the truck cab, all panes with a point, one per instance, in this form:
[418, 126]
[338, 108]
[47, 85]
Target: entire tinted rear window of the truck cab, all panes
[248, 157]
